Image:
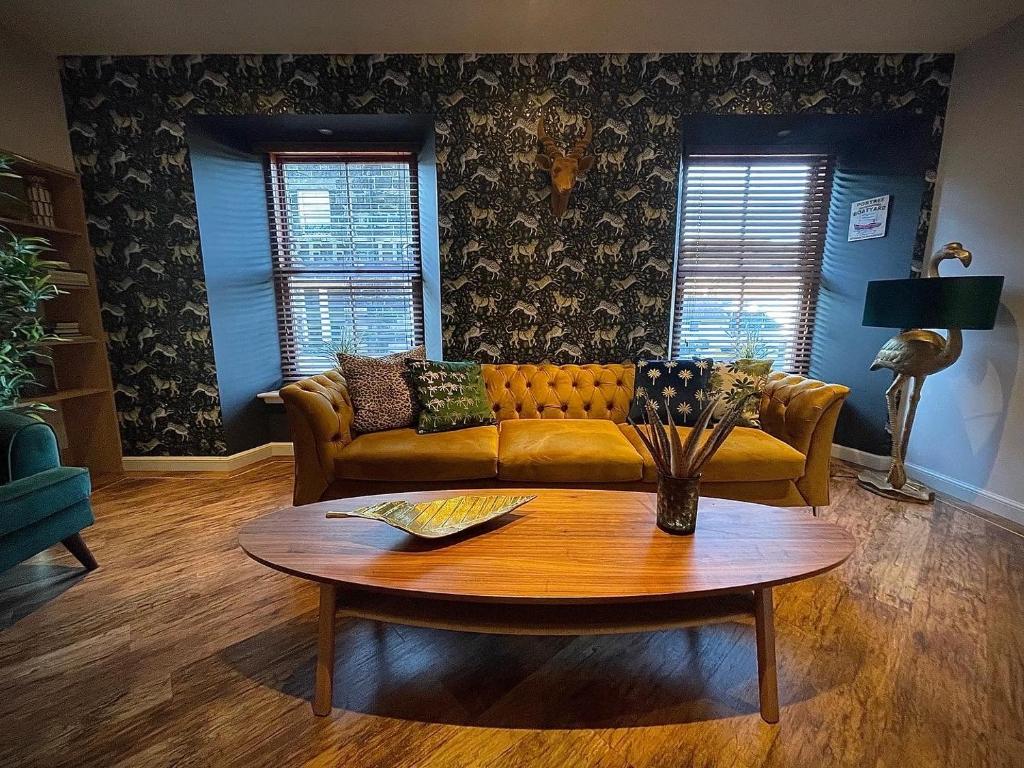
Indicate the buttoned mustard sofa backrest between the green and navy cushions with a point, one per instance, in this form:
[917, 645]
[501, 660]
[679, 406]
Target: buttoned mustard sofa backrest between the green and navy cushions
[546, 392]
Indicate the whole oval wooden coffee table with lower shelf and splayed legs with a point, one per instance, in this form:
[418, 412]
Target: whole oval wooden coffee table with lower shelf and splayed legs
[571, 563]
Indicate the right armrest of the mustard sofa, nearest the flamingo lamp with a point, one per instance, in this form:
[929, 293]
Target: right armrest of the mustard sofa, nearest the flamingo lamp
[802, 413]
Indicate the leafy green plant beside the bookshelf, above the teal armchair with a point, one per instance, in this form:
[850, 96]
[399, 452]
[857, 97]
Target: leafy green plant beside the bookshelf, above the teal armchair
[25, 284]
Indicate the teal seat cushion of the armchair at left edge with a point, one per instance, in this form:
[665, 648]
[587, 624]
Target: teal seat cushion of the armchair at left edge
[31, 499]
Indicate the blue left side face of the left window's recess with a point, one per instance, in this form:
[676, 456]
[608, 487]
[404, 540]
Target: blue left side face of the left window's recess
[233, 222]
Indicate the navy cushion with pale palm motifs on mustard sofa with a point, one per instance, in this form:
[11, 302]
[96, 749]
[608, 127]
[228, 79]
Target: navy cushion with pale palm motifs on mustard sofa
[686, 385]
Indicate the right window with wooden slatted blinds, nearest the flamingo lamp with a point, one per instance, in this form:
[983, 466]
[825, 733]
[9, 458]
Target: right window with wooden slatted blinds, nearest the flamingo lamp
[752, 233]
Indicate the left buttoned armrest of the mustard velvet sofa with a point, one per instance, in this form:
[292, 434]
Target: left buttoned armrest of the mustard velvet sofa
[320, 414]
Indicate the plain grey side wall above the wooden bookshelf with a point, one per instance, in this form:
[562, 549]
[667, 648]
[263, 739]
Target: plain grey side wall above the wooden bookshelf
[33, 122]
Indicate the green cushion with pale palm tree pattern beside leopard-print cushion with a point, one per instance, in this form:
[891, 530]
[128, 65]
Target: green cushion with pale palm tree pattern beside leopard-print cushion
[451, 396]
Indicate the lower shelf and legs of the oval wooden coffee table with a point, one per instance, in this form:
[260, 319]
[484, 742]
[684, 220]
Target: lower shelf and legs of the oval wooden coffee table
[546, 619]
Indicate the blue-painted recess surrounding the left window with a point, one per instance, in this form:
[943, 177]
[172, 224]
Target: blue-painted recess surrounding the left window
[229, 181]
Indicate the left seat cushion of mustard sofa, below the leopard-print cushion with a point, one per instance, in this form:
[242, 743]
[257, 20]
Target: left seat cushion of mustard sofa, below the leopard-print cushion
[403, 455]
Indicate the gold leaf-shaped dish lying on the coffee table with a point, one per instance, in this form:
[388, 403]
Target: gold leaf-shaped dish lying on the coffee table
[441, 518]
